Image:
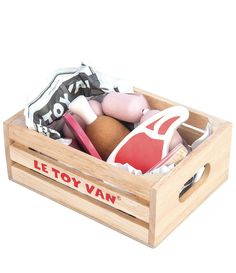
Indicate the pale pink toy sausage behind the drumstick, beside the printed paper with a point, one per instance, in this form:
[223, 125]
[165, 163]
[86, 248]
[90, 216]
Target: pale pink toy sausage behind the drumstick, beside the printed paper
[126, 107]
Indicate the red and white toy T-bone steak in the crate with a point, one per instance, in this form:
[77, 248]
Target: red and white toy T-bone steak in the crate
[149, 143]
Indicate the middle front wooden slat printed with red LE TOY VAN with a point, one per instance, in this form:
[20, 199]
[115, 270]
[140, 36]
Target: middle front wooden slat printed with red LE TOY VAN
[123, 201]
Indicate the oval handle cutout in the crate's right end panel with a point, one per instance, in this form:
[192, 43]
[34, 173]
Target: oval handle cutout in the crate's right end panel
[188, 188]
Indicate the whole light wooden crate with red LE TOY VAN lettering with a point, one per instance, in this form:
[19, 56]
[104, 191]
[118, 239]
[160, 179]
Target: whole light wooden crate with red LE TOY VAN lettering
[144, 208]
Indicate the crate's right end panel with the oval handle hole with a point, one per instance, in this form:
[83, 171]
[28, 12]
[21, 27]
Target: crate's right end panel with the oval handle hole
[166, 210]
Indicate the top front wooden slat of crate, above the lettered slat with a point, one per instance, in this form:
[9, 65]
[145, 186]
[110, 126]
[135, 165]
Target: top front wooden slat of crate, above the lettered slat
[87, 164]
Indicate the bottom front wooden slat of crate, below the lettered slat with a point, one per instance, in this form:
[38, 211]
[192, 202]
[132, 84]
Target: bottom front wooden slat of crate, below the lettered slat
[80, 203]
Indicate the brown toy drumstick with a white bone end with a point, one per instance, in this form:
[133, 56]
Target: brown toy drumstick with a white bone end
[104, 132]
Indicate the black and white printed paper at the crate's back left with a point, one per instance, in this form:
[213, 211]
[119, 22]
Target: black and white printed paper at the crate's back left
[65, 86]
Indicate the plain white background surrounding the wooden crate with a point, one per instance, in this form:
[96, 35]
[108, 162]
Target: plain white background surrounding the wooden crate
[183, 50]
